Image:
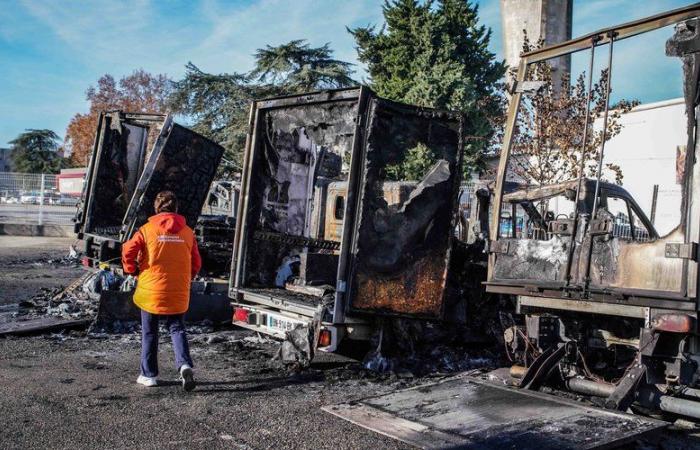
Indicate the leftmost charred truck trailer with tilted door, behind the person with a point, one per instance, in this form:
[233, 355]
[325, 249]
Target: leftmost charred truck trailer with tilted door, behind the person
[135, 156]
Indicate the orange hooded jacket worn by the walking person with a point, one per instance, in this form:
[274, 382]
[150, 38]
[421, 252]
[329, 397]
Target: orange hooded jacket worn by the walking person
[164, 253]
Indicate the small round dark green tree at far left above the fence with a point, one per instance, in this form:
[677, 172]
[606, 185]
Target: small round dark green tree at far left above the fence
[36, 151]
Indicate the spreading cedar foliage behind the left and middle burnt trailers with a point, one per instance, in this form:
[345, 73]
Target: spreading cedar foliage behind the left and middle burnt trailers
[219, 104]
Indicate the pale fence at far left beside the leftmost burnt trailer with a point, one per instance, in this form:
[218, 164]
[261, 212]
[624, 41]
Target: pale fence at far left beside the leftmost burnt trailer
[35, 198]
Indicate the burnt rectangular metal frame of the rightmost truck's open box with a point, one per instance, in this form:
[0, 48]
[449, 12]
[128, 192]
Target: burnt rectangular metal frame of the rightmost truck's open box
[589, 41]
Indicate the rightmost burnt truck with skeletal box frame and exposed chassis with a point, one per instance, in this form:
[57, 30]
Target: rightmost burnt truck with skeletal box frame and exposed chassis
[608, 300]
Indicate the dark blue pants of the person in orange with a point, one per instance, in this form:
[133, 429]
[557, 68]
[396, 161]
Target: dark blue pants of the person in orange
[149, 342]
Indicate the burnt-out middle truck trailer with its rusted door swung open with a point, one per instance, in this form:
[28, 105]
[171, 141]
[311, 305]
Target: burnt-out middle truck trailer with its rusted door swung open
[323, 240]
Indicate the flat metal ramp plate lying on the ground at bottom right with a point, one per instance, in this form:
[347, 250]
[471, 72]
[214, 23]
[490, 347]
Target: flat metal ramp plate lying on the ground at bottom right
[468, 413]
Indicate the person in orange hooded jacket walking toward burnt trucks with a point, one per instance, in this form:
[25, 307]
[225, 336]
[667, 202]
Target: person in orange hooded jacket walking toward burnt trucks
[164, 255]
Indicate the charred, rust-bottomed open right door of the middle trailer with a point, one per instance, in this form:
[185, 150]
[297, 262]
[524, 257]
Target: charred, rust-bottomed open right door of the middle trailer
[400, 247]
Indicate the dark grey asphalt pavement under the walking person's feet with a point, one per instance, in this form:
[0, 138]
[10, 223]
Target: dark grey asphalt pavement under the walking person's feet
[81, 393]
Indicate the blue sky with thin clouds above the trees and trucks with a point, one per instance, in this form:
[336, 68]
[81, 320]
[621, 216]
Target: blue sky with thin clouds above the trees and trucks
[52, 51]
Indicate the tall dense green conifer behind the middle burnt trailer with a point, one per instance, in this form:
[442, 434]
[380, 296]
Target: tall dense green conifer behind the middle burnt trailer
[435, 54]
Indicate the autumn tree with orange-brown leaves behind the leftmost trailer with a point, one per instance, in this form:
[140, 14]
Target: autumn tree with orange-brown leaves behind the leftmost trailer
[138, 92]
